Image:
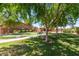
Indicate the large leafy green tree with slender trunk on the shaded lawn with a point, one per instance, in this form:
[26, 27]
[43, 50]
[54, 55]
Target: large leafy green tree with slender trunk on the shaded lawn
[55, 14]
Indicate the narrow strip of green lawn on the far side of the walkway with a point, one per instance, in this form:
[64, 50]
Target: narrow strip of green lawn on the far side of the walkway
[17, 35]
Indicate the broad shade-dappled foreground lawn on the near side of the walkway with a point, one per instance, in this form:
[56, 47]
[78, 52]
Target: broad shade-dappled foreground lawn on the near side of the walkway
[62, 45]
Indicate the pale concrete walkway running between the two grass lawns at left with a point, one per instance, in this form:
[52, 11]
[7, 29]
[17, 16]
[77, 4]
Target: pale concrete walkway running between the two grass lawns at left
[16, 39]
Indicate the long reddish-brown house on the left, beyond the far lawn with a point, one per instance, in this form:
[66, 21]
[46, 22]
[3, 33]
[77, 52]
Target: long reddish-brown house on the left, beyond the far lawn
[5, 30]
